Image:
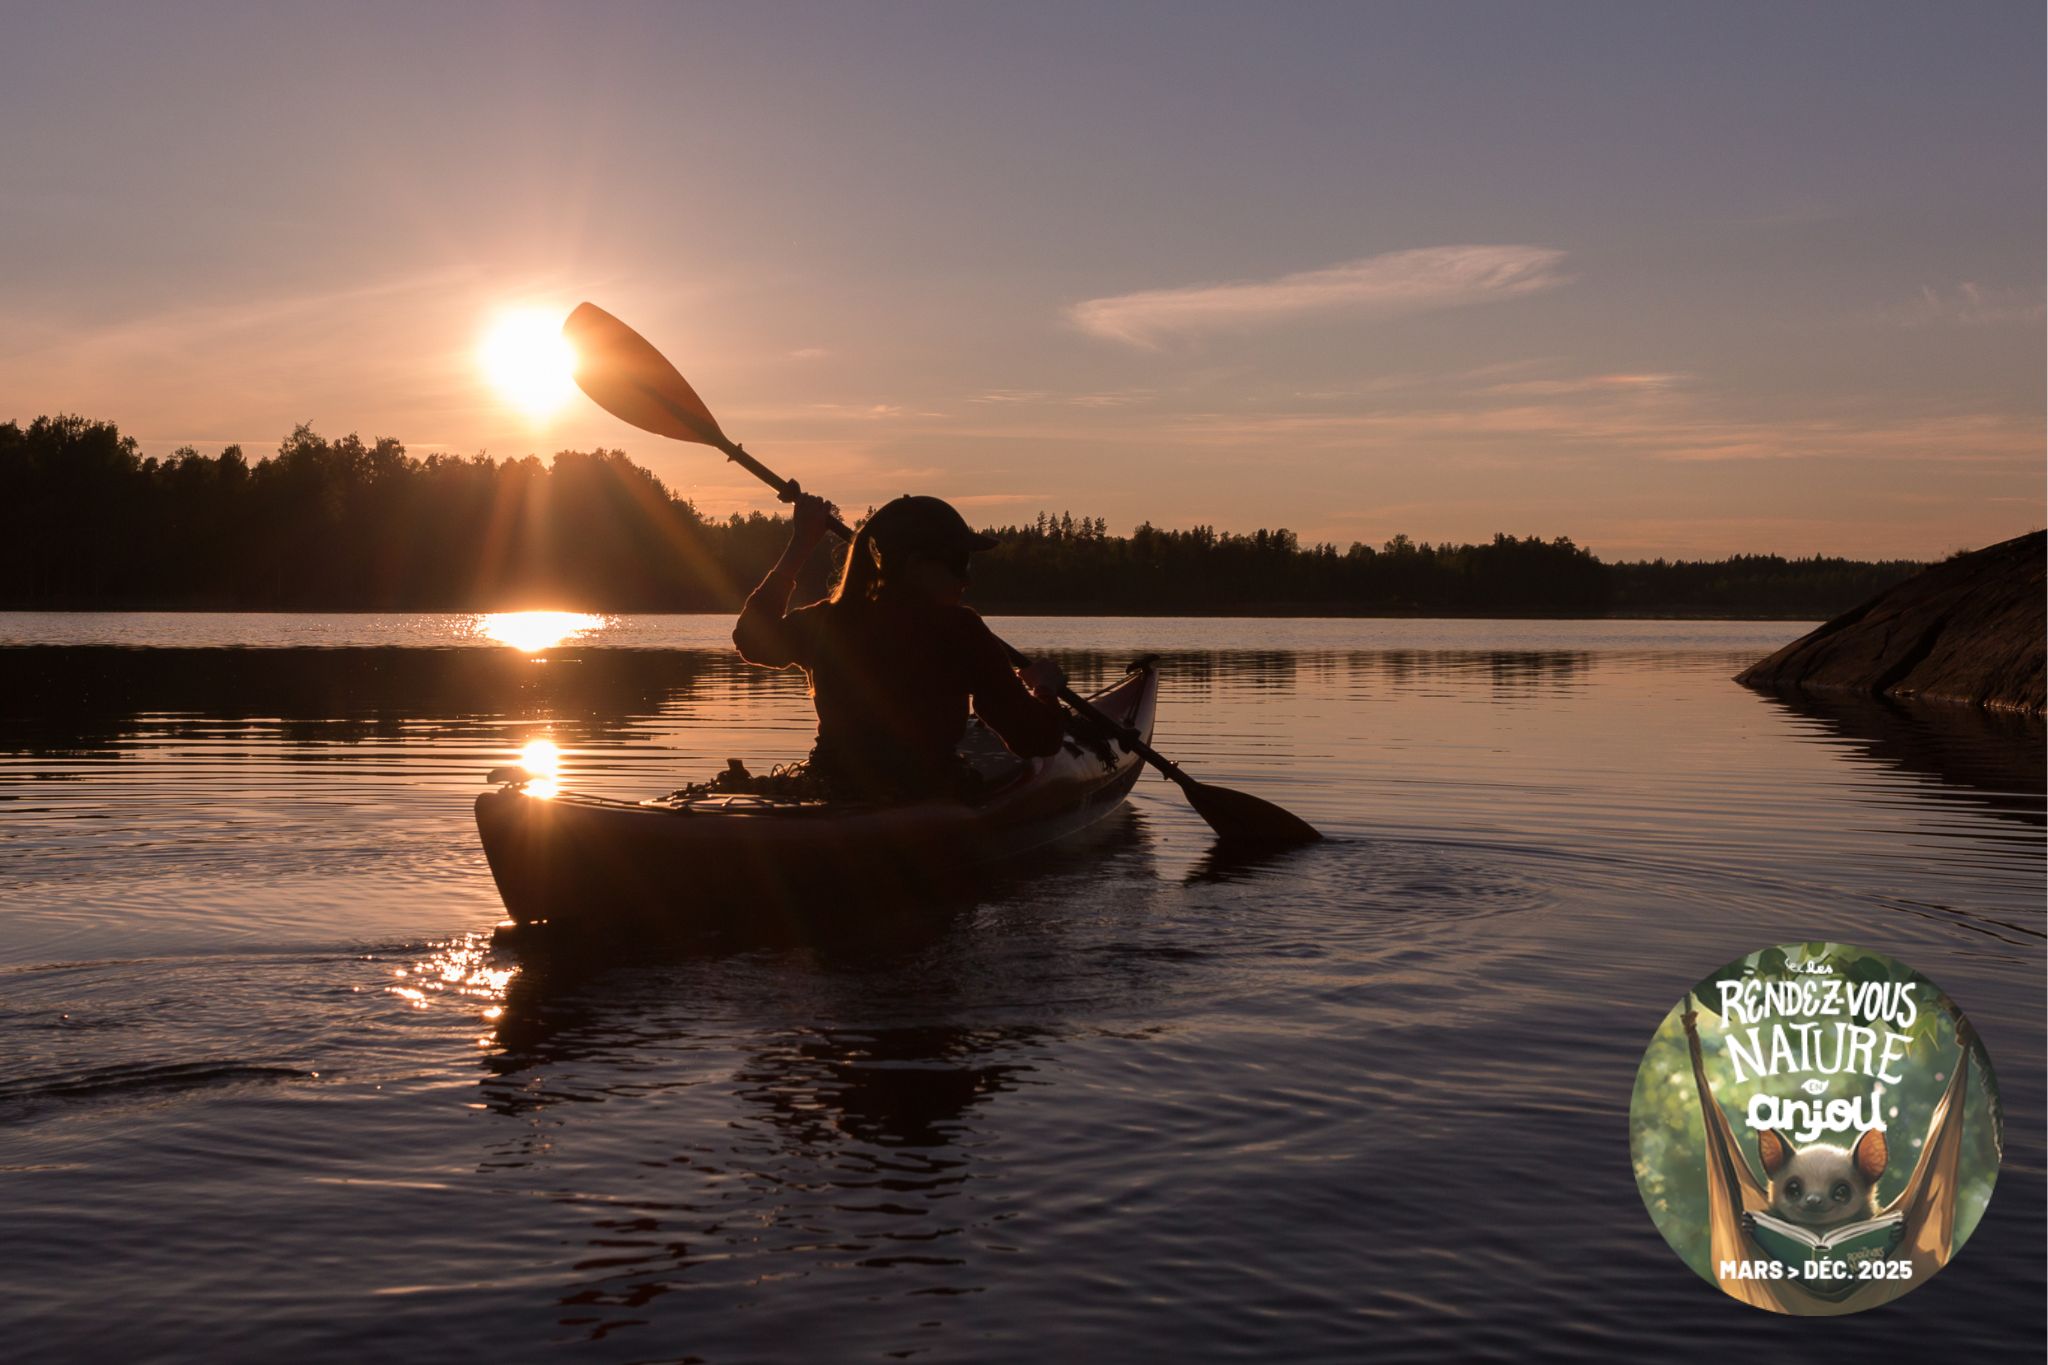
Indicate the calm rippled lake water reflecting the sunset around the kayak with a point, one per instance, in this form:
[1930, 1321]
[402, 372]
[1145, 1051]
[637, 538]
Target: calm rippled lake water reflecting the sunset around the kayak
[267, 1092]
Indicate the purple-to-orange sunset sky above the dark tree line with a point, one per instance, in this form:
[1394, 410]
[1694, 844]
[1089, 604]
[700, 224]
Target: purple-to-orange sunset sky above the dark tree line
[1666, 279]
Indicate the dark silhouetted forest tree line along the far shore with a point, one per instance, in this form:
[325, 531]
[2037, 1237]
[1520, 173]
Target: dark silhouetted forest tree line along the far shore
[89, 523]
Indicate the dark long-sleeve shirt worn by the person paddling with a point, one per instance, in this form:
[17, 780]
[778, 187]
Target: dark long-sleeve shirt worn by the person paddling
[892, 680]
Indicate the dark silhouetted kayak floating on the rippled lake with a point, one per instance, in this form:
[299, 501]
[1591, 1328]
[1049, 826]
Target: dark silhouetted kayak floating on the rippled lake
[740, 861]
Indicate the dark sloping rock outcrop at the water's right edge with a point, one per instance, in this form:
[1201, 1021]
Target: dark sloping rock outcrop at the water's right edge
[1965, 631]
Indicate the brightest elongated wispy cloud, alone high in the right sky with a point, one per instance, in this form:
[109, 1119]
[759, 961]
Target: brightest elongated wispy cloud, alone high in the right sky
[1426, 279]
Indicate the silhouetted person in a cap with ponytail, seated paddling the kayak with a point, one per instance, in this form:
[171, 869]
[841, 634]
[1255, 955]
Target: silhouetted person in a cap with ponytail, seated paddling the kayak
[894, 656]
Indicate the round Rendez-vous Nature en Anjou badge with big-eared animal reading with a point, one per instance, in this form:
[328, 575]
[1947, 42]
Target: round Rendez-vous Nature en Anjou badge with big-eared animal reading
[1816, 1129]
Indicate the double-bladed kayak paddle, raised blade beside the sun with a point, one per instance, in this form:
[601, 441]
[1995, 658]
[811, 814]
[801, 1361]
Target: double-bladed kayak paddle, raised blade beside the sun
[634, 382]
